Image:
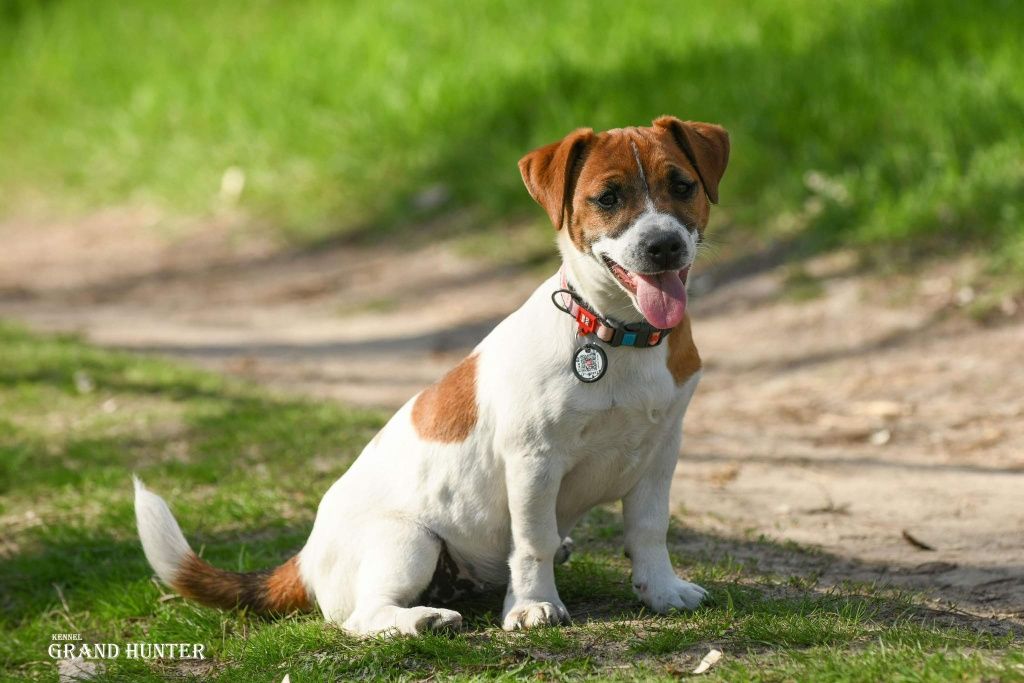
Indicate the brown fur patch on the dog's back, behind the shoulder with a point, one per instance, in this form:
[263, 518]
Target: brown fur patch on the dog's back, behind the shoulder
[446, 412]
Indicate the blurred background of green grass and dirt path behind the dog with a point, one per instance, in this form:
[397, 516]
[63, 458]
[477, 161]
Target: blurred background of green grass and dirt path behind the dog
[324, 197]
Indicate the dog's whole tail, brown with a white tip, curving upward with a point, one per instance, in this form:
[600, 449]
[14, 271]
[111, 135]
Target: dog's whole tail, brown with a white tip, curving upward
[278, 591]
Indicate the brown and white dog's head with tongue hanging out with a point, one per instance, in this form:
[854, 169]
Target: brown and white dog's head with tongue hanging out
[632, 205]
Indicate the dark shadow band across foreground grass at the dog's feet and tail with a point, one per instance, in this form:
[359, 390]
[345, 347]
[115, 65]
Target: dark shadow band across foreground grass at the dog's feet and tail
[95, 572]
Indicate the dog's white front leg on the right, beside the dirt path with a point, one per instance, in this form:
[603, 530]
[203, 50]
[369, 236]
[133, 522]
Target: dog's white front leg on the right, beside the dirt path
[646, 514]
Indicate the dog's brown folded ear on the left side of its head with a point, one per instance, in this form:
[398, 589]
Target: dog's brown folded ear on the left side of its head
[550, 174]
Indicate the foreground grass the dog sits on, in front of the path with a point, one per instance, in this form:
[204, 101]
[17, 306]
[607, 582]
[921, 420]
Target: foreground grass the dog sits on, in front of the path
[244, 473]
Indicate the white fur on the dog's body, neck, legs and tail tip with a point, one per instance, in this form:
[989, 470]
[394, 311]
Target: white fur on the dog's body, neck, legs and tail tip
[545, 450]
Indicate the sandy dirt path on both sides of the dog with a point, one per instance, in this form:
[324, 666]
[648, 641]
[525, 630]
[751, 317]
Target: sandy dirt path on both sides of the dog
[869, 423]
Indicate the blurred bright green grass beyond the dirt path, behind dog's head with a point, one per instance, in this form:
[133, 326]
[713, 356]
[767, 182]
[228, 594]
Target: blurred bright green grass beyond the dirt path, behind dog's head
[877, 122]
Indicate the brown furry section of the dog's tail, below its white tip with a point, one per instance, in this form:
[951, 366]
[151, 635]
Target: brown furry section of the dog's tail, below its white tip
[270, 592]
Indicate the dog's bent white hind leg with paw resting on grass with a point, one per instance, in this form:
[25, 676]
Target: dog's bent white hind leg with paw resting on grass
[398, 563]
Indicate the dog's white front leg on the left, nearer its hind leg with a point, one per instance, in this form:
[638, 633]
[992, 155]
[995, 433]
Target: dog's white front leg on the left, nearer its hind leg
[533, 483]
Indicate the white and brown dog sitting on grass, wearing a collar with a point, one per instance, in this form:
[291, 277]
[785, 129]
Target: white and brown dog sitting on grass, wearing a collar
[576, 400]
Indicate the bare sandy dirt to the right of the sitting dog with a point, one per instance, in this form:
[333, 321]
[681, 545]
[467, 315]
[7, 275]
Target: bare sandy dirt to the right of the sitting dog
[889, 437]
